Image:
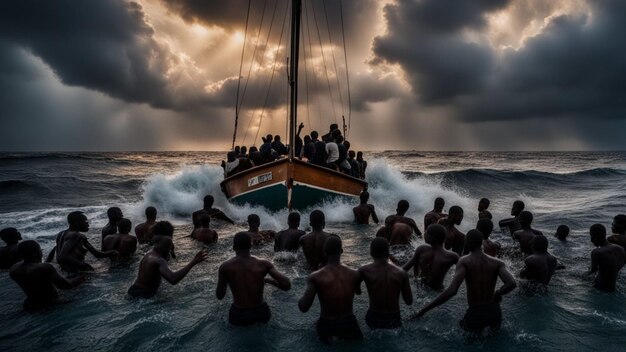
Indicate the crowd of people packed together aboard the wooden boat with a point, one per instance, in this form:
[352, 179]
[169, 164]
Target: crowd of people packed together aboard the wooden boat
[330, 150]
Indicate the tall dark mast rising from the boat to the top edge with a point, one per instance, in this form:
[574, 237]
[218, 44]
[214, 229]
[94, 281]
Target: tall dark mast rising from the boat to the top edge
[296, 11]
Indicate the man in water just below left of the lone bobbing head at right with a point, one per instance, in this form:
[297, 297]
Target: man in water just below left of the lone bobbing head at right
[541, 265]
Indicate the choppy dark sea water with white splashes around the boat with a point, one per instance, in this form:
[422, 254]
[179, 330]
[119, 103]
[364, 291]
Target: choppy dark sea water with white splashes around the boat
[37, 191]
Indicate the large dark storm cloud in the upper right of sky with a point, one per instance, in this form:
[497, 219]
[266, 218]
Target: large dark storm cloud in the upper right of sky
[574, 67]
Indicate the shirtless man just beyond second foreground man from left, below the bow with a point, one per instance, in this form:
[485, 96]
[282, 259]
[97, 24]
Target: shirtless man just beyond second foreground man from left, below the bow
[313, 242]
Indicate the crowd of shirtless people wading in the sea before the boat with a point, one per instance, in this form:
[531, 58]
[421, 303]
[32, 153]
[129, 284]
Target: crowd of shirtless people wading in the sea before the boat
[386, 278]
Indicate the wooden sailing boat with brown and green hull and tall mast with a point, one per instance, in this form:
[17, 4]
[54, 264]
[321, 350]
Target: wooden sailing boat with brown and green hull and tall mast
[290, 182]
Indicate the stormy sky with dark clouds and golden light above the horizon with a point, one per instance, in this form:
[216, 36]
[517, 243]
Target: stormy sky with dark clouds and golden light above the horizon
[423, 74]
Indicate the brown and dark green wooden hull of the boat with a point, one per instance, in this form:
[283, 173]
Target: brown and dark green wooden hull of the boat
[290, 184]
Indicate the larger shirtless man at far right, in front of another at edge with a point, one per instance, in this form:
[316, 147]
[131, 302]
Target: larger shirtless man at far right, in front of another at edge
[607, 259]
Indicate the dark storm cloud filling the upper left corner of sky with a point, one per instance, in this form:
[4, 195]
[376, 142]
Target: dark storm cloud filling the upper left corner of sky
[105, 45]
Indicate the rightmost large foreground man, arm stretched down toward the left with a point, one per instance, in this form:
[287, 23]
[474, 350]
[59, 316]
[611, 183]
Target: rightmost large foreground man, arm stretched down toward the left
[480, 273]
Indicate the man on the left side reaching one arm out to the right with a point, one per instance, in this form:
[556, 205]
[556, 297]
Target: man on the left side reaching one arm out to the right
[154, 264]
